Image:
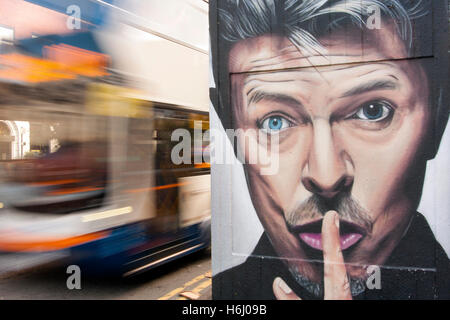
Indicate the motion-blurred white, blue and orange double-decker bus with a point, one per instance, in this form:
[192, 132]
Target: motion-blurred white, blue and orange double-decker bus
[86, 139]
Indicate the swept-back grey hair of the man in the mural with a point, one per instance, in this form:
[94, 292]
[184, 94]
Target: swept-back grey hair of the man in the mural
[298, 20]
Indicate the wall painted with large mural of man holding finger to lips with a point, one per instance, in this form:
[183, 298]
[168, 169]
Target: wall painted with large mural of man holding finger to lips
[349, 140]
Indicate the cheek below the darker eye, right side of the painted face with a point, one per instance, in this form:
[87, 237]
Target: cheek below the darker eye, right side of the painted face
[381, 161]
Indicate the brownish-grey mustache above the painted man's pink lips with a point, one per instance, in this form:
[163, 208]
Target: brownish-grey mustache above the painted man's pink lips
[315, 207]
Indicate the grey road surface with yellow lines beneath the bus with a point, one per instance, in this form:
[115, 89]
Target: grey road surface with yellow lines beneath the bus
[45, 277]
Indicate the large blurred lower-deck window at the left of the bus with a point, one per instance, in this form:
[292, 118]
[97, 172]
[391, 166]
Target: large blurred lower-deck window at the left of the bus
[51, 162]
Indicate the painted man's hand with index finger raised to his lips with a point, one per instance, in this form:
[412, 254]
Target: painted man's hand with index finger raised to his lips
[336, 283]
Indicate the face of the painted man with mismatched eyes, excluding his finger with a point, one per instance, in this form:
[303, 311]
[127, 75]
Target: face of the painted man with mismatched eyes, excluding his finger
[349, 136]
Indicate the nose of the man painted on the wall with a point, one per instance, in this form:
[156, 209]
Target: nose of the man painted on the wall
[329, 170]
